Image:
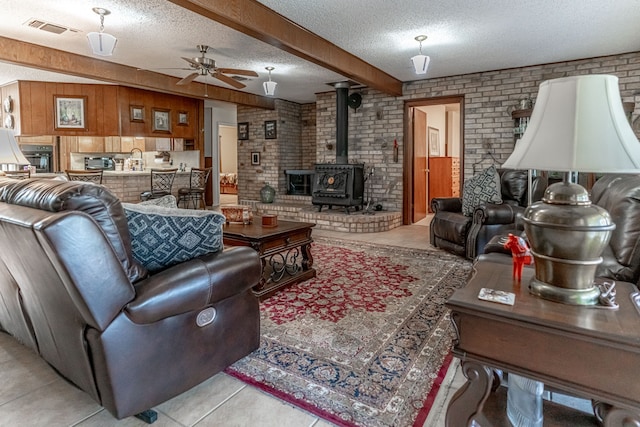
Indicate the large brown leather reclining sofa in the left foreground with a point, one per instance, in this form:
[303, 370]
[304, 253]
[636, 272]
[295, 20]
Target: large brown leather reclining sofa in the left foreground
[71, 291]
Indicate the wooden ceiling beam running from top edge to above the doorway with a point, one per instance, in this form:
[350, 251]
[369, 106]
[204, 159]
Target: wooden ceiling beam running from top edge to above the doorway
[256, 20]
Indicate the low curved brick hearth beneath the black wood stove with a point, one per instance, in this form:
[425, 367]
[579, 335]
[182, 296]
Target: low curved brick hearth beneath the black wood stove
[299, 208]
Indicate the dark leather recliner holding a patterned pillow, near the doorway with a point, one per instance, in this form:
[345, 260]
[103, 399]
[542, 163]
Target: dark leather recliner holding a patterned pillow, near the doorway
[466, 236]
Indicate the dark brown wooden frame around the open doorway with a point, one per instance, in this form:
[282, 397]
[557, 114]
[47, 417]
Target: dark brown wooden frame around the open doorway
[407, 175]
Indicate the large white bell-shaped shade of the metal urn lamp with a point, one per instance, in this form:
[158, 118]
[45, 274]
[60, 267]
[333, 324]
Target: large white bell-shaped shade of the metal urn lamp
[578, 124]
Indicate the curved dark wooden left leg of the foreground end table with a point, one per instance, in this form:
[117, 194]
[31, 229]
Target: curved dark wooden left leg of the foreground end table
[468, 401]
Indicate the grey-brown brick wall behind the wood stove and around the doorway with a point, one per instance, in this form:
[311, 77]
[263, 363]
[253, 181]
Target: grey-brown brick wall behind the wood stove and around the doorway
[380, 120]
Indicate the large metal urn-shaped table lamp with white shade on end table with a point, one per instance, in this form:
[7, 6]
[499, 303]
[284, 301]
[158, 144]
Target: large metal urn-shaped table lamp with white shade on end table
[577, 125]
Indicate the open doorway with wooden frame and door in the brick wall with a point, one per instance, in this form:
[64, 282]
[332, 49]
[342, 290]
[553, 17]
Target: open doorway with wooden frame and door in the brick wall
[434, 151]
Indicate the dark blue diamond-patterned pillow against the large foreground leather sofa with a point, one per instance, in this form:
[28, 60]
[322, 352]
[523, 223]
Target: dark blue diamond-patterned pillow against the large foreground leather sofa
[162, 237]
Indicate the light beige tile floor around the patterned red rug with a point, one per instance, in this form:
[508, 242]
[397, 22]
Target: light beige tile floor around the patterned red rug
[32, 394]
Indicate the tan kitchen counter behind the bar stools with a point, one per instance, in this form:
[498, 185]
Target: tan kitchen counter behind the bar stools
[127, 185]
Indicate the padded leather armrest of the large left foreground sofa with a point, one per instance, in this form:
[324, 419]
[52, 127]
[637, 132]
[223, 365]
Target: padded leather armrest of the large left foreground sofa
[195, 284]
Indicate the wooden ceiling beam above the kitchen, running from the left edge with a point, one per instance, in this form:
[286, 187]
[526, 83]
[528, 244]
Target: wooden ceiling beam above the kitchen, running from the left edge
[58, 61]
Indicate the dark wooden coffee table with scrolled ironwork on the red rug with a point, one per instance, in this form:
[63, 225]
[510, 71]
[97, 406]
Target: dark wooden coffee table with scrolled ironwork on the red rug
[285, 252]
